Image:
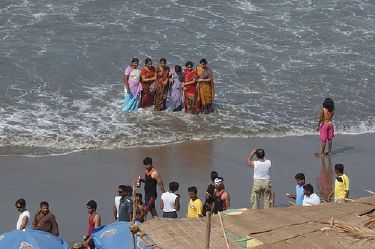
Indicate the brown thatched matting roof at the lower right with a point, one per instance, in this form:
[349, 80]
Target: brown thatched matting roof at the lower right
[294, 227]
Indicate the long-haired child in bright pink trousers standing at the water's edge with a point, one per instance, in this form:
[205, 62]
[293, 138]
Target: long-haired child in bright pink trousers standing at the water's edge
[325, 126]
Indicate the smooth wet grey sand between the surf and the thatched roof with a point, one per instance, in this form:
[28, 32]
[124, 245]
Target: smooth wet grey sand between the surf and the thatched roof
[67, 182]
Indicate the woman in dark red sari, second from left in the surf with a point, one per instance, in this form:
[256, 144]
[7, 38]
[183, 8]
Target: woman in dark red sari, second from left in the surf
[148, 76]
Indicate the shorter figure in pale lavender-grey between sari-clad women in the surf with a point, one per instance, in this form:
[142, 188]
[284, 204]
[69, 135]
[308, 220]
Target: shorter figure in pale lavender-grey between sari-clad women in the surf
[177, 91]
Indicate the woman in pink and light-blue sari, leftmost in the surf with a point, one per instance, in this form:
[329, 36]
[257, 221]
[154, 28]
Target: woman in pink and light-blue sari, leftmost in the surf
[132, 86]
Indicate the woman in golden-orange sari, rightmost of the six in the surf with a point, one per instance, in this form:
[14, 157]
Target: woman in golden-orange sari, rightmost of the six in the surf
[205, 87]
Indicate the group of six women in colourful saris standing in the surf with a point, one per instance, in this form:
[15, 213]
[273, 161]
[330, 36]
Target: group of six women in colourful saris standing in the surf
[189, 88]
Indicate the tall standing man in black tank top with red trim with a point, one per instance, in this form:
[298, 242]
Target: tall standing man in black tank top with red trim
[152, 178]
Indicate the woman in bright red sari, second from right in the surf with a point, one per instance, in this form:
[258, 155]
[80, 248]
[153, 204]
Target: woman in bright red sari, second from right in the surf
[190, 90]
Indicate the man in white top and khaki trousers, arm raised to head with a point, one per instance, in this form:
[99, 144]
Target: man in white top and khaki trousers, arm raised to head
[262, 179]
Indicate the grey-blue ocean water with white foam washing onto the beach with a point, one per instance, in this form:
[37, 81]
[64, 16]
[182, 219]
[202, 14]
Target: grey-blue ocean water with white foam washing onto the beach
[274, 62]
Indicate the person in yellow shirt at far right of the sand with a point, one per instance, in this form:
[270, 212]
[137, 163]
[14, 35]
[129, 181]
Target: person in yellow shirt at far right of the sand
[342, 183]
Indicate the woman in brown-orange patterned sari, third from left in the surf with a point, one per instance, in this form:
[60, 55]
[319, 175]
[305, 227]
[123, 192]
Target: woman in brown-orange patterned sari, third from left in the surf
[162, 80]
